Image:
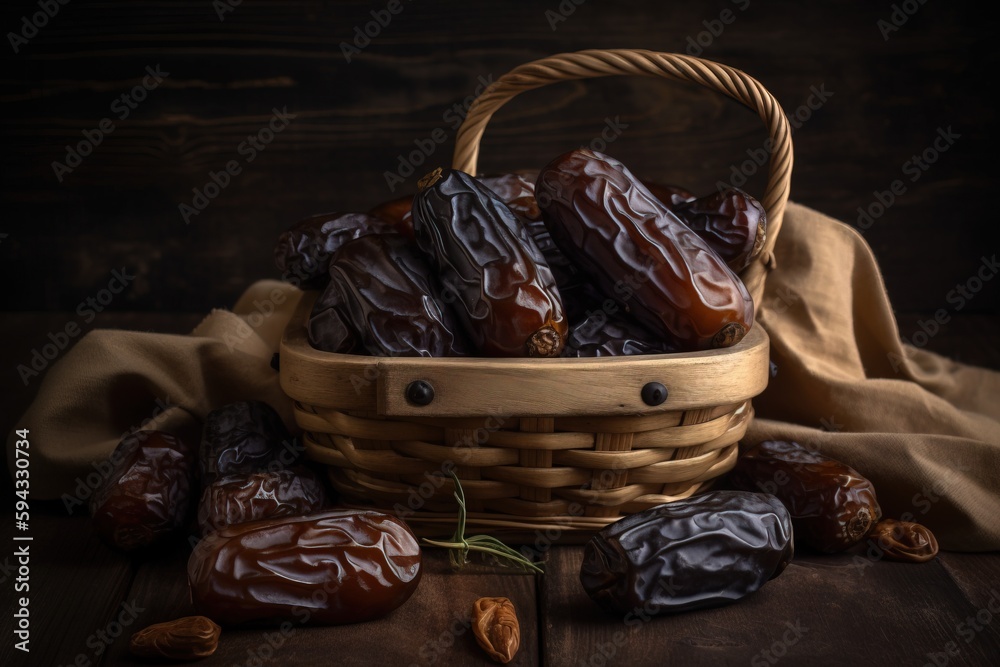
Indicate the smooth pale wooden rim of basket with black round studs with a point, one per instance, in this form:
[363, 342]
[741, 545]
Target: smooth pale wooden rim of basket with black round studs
[553, 386]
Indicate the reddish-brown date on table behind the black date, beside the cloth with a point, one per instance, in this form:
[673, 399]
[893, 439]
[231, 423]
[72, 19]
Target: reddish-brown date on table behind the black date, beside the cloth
[832, 505]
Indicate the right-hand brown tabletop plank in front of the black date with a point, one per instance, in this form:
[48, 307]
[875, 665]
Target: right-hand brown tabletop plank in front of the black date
[823, 610]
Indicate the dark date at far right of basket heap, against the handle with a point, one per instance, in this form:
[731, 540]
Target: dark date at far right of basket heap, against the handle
[732, 222]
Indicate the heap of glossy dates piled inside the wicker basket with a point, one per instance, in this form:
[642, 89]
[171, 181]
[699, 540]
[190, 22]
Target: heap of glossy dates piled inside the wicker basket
[580, 259]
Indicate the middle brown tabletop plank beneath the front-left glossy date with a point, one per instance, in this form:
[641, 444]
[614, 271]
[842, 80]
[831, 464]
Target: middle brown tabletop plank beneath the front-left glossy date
[431, 628]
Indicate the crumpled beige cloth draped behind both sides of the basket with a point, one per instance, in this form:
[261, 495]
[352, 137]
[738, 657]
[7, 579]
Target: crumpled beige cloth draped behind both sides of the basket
[924, 429]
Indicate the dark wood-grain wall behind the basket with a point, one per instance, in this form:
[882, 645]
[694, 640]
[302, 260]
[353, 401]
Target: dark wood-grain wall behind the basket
[205, 79]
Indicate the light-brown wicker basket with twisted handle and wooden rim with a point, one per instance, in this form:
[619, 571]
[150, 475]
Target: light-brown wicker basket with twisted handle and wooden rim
[550, 447]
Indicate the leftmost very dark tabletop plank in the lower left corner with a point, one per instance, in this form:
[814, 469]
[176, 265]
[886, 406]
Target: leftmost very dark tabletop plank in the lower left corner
[77, 585]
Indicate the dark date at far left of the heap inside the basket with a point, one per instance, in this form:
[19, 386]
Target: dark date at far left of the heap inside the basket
[304, 250]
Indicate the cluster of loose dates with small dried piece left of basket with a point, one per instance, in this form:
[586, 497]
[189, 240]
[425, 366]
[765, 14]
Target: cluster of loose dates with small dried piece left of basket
[271, 548]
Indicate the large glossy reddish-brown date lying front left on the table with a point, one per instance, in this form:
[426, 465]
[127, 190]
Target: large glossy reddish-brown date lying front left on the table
[333, 567]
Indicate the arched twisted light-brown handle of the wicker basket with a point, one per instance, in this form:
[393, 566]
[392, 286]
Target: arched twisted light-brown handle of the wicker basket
[609, 62]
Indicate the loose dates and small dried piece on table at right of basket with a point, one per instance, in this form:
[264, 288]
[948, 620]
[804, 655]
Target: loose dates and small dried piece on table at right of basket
[718, 547]
